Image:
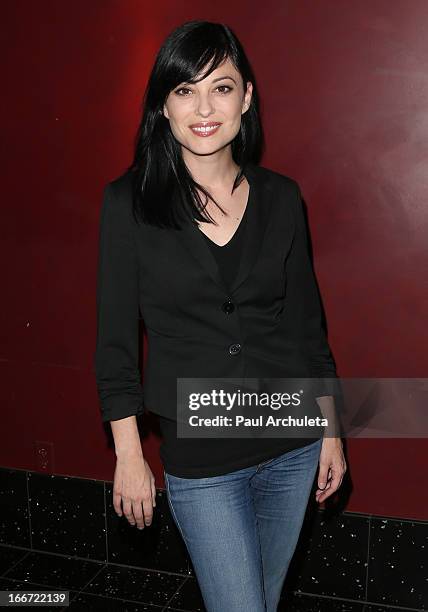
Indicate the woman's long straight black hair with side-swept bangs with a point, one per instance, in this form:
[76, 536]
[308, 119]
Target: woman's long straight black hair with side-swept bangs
[164, 192]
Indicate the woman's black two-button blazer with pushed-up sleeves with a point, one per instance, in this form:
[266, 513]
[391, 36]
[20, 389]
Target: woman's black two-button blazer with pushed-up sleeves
[268, 325]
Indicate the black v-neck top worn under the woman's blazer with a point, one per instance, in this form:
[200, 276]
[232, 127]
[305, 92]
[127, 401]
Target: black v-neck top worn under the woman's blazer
[199, 458]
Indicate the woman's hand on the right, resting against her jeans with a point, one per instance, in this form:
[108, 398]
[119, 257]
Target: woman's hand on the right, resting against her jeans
[332, 468]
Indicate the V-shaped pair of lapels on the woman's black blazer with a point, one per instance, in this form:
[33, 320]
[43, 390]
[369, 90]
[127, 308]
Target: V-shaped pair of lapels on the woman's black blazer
[259, 205]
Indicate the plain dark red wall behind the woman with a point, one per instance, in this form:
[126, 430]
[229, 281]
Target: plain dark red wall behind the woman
[344, 93]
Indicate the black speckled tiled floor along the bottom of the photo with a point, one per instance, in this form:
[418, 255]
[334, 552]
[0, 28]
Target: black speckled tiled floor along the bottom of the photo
[110, 587]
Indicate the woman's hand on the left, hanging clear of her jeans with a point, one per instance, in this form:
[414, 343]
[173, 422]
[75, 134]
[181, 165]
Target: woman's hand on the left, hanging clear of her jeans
[134, 487]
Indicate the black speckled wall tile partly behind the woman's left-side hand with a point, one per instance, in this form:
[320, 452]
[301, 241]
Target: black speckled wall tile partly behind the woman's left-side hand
[159, 546]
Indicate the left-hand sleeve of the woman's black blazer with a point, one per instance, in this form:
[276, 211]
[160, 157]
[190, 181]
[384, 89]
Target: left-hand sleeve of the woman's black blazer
[117, 343]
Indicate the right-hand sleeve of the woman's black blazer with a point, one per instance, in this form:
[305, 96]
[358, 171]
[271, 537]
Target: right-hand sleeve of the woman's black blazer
[304, 306]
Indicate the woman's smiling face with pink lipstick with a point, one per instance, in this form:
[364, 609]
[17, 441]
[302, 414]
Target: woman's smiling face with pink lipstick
[206, 116]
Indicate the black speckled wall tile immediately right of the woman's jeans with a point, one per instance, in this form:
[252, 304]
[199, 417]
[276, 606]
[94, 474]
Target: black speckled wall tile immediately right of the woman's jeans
[331, 556]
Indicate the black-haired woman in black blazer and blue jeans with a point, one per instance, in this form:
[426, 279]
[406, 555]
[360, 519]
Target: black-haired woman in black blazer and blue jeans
[211, 250]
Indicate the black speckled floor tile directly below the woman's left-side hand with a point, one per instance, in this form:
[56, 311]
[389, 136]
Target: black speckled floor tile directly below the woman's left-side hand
[137, 585]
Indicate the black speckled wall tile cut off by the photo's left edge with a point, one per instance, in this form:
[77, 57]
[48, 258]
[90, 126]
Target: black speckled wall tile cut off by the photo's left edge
[14, 523]
